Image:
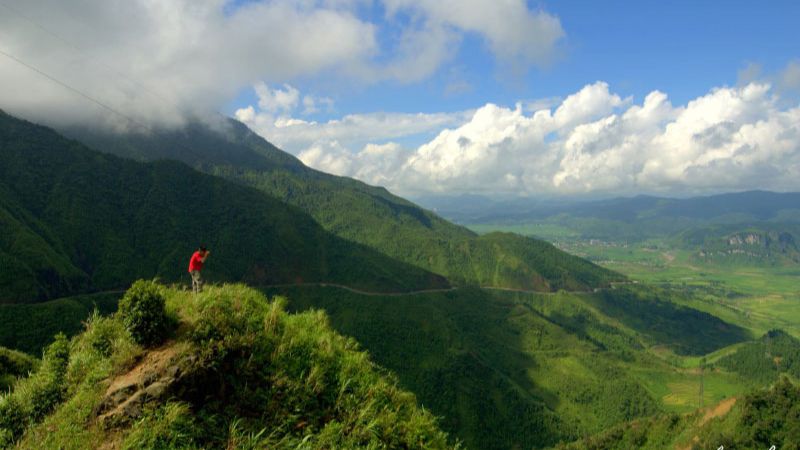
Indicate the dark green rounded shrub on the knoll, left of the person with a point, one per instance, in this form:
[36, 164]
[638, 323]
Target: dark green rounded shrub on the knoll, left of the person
[143, 314]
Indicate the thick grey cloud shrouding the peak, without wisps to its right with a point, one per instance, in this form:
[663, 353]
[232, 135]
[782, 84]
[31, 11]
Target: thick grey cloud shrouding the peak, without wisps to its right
[161, 61]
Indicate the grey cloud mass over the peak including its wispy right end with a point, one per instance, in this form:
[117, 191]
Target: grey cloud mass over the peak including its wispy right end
[159, 62]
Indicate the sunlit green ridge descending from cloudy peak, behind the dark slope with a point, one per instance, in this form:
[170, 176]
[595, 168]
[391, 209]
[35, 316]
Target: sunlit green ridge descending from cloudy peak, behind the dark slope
[357, 212]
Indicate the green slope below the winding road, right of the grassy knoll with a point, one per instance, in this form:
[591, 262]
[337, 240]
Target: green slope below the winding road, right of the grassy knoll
[522, 370]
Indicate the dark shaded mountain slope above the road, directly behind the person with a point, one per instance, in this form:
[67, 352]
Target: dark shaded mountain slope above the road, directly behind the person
[74, 220]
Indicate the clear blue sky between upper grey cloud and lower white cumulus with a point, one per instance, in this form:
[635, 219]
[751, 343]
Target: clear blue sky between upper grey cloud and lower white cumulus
[680, 47]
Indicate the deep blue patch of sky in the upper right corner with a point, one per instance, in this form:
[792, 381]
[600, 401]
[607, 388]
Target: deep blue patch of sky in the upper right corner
[680, 47]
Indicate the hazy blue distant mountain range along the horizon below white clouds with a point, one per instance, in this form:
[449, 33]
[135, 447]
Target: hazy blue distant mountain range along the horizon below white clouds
[625, 219]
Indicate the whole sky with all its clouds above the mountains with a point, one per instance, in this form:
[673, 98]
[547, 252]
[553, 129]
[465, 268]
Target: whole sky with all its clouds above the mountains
[491, 97]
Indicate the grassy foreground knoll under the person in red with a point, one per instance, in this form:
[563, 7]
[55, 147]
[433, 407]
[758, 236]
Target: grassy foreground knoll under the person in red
[236, 372]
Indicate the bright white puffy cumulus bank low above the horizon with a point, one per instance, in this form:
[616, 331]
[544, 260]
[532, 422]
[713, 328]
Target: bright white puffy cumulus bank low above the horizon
[594, 141]
